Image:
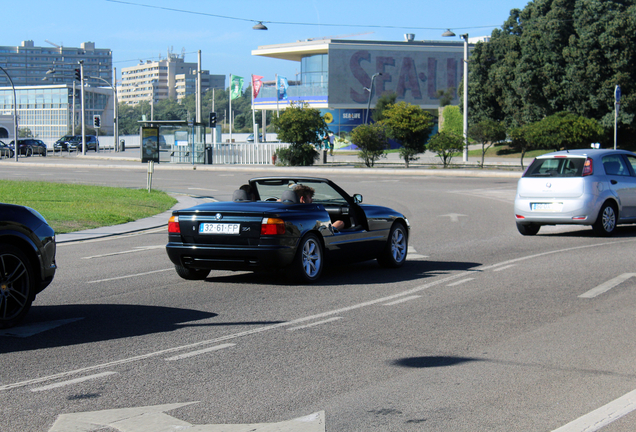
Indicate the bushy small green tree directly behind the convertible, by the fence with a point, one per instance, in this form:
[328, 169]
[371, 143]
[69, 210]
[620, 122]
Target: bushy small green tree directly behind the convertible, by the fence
[302, 127]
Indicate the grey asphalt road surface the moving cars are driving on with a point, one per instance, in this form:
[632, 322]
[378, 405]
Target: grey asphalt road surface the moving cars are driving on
[482, 329]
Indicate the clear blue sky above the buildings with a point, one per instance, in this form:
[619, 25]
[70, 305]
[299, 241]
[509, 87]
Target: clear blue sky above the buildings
[222, 30]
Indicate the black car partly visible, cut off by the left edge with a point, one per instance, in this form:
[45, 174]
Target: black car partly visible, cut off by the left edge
[27, 260]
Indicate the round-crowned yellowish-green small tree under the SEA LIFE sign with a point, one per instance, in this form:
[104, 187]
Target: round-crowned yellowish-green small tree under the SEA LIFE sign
[411, 126]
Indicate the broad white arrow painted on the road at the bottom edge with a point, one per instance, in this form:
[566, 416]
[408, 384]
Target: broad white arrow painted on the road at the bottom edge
[153, 418]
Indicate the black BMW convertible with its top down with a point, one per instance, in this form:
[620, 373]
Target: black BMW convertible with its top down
[267, 227]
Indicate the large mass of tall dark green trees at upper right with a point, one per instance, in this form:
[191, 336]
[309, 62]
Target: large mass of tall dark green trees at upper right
[554, 56]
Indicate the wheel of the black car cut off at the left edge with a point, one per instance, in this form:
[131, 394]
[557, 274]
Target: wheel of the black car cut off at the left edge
[17, 285]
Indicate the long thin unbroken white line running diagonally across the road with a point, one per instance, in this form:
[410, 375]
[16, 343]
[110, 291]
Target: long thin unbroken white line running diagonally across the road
[343, 310]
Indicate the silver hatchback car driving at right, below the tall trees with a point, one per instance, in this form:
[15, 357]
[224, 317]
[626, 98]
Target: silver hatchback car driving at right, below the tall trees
[581, 187]
